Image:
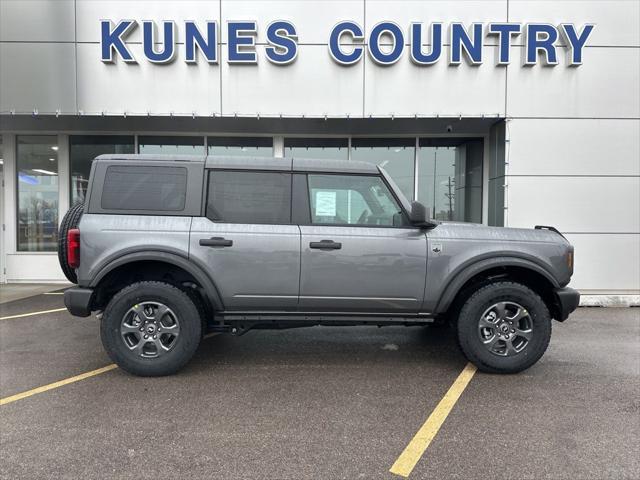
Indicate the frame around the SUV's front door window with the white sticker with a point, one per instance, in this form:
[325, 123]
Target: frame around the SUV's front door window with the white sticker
[302, 203]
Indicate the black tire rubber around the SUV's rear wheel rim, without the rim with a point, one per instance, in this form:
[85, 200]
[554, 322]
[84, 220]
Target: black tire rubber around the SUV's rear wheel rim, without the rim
[186, 343]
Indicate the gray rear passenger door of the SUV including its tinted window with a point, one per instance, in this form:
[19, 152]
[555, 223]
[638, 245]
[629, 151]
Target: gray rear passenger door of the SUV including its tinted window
[246, 240]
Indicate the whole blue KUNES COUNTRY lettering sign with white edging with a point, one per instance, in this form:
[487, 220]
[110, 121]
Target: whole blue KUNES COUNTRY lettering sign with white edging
[346, 42]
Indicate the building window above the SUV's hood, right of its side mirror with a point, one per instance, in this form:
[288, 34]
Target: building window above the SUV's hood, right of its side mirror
[450, 178]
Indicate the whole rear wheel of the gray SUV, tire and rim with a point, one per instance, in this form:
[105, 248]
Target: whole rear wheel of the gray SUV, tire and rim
[151, 329]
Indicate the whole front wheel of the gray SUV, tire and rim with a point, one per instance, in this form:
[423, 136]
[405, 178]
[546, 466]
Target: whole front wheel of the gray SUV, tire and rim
[504, 327]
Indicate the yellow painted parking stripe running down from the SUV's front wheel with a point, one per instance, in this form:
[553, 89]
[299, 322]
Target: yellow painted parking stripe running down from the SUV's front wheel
[420, 442]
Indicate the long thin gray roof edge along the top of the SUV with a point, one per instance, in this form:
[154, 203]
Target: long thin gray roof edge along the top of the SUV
[256, 163]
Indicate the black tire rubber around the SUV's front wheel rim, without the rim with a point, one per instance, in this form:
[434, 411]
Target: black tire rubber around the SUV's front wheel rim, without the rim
[482, 299]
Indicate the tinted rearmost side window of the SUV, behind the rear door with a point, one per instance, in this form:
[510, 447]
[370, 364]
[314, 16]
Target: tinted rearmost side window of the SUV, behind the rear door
[144, 188]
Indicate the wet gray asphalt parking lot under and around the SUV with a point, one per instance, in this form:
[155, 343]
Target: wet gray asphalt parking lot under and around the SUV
[321, 402]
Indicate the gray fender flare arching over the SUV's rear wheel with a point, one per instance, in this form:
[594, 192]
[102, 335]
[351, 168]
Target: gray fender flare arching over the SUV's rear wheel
[209, 286]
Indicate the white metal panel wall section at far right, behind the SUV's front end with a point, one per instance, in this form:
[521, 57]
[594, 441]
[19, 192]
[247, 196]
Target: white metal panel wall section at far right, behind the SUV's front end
[573, 144]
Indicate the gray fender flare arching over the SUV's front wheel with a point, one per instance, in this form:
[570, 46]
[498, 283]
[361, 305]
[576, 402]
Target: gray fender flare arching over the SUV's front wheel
[466, 272]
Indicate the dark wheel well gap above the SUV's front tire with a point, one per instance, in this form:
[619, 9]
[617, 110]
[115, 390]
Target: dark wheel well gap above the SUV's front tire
[534, 280]
